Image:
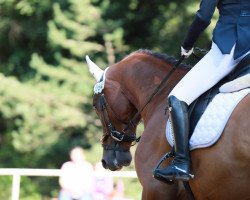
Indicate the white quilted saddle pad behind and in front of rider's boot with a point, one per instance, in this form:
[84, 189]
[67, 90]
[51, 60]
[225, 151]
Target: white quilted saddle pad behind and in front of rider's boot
[212, 123]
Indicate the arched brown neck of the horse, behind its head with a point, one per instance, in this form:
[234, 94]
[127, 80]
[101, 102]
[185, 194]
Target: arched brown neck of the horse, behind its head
[139, 75]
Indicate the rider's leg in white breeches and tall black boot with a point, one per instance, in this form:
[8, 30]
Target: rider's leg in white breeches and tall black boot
[205, 74]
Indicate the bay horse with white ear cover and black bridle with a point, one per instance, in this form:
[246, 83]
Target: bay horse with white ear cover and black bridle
[221, 171]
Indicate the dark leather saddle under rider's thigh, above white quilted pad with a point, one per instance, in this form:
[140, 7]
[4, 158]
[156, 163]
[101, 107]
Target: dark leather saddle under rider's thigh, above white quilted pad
[198, 107]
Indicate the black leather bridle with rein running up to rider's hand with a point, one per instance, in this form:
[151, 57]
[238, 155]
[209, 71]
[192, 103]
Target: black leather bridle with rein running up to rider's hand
[124, 135]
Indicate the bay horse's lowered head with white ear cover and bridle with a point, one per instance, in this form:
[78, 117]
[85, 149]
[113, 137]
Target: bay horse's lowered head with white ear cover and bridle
[118, 117]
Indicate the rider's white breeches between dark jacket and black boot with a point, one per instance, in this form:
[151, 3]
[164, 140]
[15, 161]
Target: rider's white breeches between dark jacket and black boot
[205, 74]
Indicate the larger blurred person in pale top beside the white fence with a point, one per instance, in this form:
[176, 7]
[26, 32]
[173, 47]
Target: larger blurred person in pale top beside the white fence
[77, 177]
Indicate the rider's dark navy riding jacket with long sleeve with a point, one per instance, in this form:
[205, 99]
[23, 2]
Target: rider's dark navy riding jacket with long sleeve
[233, 25]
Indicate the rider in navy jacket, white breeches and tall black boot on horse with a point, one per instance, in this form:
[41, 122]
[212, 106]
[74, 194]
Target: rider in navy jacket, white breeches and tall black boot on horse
[231, 42]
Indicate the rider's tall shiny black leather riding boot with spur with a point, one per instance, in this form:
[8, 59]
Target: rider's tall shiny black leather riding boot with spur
[179, 169]
